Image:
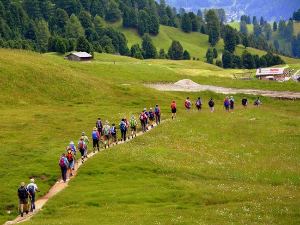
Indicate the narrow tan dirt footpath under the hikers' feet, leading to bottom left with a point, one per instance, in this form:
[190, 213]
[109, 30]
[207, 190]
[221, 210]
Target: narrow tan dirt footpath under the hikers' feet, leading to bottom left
[60, 185]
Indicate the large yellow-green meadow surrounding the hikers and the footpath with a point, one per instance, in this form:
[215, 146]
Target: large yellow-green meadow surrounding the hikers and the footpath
[204, 168]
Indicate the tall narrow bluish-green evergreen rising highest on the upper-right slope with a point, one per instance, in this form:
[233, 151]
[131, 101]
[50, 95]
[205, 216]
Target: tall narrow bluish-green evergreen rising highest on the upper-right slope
[213, 27]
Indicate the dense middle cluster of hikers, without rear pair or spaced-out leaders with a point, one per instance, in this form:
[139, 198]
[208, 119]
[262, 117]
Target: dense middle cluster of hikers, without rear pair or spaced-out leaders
[106, 135]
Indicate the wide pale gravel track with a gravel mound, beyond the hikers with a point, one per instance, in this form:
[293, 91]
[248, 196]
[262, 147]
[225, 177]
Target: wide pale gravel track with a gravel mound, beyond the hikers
[190, 86]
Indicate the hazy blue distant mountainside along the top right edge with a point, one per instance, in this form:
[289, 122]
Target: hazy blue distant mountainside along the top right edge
[268, 9]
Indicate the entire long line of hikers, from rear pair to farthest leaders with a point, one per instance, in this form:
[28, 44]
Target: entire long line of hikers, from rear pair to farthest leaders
[107, 136]
